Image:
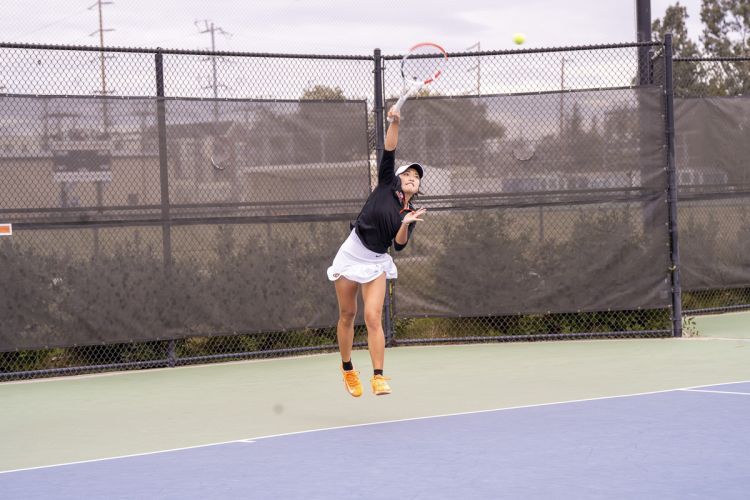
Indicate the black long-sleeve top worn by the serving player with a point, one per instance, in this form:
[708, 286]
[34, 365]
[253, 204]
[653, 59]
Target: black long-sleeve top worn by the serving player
[380, 218]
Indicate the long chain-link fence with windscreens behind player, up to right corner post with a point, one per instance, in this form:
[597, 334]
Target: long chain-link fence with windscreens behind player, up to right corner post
[174, 207]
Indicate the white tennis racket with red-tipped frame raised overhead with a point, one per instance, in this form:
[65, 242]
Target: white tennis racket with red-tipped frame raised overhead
[421, 66]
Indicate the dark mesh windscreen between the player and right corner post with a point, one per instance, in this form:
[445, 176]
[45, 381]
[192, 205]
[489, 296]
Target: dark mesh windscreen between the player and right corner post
[539, 203]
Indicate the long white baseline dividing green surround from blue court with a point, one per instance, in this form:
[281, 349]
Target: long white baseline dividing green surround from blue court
[366, 424]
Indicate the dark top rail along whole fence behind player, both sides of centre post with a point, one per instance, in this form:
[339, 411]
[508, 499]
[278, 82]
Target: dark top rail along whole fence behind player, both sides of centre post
[157, 50]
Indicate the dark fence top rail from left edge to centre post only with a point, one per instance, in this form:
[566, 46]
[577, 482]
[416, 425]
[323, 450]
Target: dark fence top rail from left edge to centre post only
[159, 50]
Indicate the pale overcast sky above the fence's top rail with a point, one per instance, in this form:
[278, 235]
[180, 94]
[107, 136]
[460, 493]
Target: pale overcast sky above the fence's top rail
[330, 26]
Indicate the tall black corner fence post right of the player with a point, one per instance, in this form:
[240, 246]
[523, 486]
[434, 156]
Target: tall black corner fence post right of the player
[674, 249]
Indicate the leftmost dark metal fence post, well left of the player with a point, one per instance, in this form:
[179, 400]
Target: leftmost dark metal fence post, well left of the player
[166, 228]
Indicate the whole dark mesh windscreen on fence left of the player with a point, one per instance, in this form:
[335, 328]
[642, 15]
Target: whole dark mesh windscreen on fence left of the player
[98, 256]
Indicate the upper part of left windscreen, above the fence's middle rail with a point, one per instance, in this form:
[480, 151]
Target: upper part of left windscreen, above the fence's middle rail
[88, 158]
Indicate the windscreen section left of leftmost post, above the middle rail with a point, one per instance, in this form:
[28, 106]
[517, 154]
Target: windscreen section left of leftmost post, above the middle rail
[79, 158]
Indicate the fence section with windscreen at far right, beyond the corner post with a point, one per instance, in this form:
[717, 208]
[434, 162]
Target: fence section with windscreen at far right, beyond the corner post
[712, 117]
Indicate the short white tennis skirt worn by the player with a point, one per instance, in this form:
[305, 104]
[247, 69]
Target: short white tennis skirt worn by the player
[356, 262]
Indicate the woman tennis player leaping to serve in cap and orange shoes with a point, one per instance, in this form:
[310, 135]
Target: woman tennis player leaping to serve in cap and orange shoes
[388, 217]
